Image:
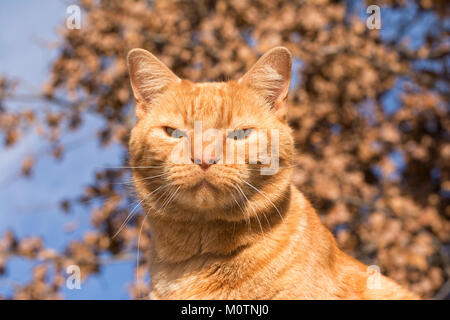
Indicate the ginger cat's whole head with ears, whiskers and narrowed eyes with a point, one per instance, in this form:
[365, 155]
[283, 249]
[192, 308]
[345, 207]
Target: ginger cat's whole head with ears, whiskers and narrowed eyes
[206, 147]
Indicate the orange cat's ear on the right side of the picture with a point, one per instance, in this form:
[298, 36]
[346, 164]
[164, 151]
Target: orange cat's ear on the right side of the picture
[271, 76]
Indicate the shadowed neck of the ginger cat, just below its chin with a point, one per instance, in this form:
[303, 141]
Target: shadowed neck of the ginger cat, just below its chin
[175, 241]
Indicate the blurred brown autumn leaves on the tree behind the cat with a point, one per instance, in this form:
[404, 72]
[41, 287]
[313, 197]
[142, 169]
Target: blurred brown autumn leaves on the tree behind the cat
[379, 178]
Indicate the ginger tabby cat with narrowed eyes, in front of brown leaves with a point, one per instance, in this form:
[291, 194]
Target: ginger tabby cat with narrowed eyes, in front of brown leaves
[224, 230]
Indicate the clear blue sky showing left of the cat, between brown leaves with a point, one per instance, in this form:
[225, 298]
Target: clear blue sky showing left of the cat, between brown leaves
[29, 207]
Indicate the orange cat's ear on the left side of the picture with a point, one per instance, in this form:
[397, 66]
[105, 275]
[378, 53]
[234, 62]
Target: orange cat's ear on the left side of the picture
[149, 78]
